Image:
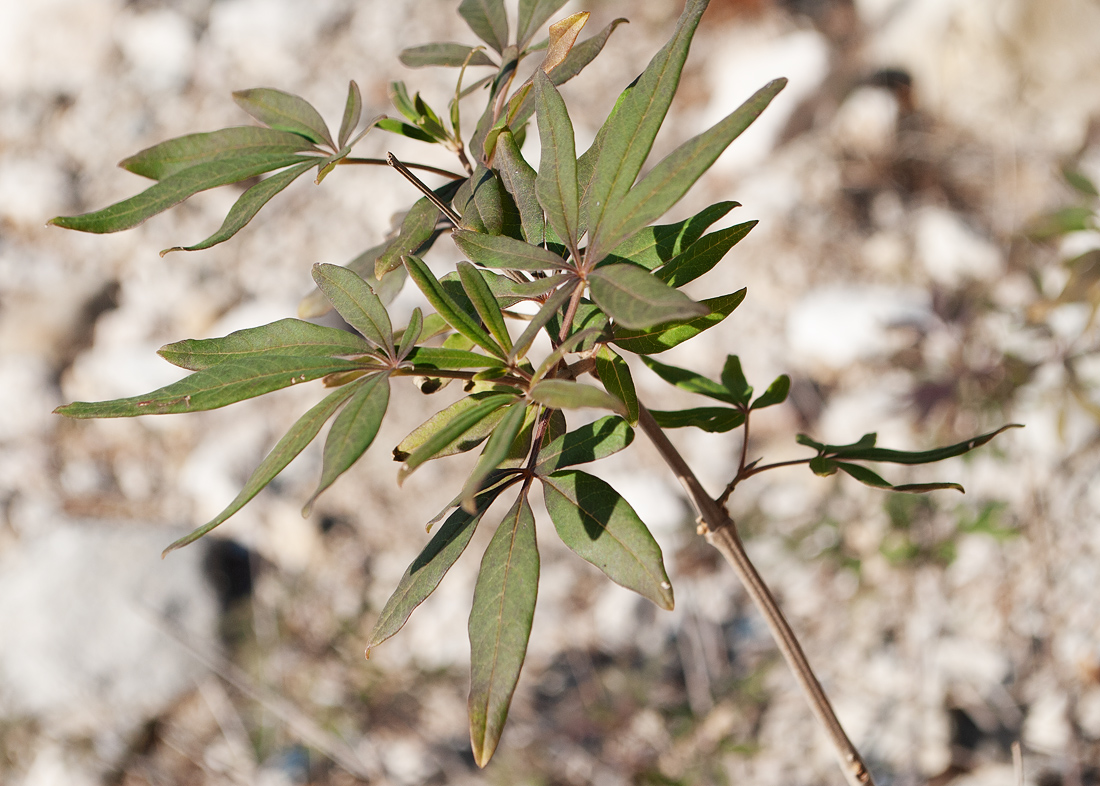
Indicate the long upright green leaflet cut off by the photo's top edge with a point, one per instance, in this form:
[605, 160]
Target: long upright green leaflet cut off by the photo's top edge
[633, 127]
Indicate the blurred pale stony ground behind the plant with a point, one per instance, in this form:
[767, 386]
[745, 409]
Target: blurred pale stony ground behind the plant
[927, 267]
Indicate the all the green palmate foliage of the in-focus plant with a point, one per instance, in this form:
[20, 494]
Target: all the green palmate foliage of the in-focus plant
[573, 240]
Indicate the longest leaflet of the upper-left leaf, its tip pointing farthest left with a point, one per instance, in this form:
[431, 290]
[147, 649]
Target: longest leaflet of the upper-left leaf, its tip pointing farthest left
[174, 190]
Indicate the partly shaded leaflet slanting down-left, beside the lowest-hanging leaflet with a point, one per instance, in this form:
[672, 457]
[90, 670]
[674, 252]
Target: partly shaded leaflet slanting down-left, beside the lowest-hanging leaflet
[427, 571]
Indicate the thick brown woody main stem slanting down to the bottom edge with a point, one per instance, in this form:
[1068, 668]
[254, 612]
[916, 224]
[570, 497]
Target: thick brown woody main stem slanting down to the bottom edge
[722, 534]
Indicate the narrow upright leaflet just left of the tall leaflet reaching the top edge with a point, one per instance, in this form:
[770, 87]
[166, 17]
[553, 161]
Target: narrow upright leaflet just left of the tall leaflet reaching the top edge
[557, 180]
